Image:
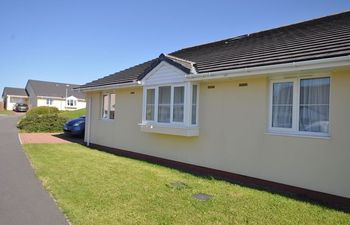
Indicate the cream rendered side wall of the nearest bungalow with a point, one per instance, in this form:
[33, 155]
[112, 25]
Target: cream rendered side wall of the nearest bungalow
[233, 135]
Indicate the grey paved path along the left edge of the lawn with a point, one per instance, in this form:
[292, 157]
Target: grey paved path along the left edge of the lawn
[23, 200]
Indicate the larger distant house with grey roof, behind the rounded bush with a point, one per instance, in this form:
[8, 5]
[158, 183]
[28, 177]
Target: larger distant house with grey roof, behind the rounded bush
[54, 94]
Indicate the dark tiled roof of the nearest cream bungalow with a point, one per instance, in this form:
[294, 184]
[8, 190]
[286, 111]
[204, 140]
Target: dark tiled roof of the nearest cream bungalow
[320, 38]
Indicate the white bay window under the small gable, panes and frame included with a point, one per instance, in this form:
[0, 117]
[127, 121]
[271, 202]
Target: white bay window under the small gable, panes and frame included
[172, 106]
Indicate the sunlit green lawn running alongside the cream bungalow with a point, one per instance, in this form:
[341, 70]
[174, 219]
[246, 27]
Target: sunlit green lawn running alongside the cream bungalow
[93, 187]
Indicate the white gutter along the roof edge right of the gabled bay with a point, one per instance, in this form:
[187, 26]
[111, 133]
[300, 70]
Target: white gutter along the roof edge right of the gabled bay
[271, 69]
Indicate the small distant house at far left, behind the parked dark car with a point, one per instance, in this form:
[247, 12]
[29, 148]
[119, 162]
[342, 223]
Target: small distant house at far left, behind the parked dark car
[11, 96]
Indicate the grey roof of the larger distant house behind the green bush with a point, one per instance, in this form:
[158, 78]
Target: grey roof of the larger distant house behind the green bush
[54, 89]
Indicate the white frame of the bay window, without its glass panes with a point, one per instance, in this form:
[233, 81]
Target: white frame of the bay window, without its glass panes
[187, 105]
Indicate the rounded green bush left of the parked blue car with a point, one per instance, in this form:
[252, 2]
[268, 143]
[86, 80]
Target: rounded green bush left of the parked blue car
[42, 123]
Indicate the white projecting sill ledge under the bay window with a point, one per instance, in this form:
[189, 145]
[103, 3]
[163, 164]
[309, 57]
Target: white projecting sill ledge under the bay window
[170, 129]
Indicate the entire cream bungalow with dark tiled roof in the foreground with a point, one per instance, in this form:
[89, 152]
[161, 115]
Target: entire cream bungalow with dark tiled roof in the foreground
[270, 107]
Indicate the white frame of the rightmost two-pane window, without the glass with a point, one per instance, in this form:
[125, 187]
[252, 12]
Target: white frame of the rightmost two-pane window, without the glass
[296, 108]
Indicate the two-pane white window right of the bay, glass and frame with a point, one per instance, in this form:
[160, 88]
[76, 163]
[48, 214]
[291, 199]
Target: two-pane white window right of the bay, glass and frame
[301, 106]
